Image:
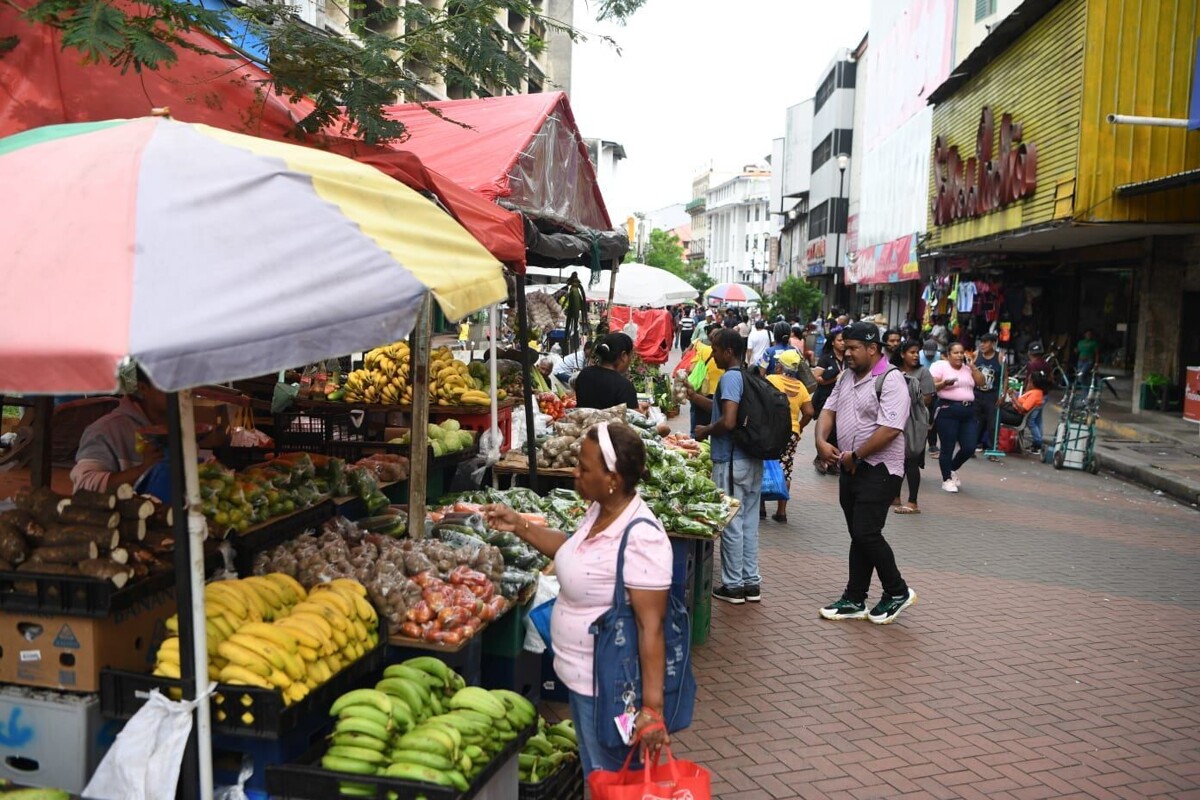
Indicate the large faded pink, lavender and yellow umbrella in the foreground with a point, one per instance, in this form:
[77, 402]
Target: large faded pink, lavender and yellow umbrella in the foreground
[208, 256]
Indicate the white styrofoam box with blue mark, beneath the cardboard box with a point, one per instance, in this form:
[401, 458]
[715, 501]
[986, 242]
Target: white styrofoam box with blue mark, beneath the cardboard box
[52, 739]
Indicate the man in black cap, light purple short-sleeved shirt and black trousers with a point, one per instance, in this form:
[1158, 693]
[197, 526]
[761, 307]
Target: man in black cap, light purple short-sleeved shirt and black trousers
[871, 432]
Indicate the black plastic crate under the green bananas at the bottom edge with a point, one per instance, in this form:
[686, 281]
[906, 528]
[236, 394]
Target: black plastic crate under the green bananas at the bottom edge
[309, 781]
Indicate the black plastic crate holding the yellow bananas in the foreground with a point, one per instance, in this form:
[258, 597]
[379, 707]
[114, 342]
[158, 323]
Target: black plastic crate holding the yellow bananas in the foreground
[122, 694]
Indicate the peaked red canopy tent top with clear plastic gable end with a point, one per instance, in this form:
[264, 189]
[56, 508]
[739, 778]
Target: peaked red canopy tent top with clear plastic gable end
[525, 151]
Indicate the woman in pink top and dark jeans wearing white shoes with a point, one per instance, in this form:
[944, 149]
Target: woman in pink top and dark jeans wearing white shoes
[956, 378]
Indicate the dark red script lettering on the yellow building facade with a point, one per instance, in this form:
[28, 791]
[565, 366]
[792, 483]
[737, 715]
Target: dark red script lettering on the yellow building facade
[987, 182]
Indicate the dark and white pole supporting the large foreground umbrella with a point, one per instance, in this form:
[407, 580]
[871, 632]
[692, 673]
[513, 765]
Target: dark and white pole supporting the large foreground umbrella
[190, 531]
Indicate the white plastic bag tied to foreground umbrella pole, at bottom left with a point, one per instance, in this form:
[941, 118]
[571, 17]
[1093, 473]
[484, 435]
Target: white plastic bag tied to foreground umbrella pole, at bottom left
[145, 762]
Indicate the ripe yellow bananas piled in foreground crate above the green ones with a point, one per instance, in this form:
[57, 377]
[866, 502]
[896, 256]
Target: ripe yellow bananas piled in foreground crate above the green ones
[267, 631]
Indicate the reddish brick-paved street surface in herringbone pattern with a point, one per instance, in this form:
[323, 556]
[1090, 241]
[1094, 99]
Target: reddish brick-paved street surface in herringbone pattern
[1054, 652]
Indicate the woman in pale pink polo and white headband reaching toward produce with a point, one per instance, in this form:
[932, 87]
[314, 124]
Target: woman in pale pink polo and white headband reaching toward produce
[613, 461]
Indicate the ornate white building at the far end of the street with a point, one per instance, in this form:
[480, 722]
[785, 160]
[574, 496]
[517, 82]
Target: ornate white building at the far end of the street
[737, 221]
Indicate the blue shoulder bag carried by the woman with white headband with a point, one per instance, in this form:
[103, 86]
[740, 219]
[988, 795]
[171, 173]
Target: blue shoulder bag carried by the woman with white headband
[617, 670]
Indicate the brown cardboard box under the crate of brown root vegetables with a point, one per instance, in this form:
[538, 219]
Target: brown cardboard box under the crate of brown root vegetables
[68, 653]
